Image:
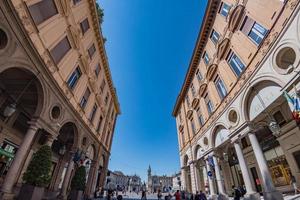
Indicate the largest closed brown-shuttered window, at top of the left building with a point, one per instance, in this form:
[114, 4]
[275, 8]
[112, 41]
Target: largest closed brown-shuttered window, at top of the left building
[42, 11]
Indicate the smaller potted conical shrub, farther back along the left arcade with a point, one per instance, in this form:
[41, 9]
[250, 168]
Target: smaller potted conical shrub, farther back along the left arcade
[78, 183]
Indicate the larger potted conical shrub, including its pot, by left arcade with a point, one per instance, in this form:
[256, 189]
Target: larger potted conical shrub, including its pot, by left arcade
[37, 175]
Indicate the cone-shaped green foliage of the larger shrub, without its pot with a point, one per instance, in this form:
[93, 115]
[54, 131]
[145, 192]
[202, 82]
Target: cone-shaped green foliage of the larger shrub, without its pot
[38, 171]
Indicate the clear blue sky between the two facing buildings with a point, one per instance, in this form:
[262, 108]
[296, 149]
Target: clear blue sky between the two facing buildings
[149, 46]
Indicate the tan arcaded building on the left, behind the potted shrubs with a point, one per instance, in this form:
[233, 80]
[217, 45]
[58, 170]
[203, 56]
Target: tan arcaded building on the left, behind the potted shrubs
[55, 89]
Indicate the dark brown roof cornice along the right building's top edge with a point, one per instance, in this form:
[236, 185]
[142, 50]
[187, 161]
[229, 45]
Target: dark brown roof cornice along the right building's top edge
[207, 23]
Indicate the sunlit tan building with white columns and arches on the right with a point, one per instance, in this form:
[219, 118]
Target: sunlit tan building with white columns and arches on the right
[234, 124]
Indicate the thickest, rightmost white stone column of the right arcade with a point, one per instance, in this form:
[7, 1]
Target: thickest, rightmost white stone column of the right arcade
[270, 192]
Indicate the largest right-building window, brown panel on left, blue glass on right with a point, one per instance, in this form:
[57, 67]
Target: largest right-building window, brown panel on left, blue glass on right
[254, 30]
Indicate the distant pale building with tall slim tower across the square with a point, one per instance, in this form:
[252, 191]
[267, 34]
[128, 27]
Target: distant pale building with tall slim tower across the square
[155, 183]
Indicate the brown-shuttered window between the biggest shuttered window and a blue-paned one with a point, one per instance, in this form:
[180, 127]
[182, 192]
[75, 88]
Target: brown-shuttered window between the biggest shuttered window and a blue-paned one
[60, 50]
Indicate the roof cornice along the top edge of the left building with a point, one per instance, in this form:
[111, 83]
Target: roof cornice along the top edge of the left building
[102, 51]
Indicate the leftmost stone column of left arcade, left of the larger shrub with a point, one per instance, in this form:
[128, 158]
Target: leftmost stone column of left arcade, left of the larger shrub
[10, 178]
